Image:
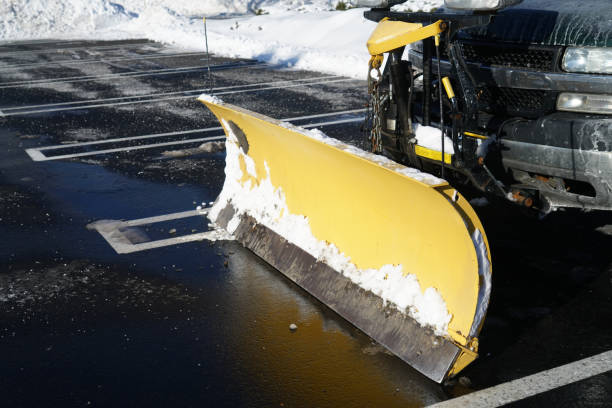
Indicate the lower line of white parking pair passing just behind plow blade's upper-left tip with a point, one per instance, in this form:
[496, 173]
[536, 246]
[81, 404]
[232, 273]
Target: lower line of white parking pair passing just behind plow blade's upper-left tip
[14, 111]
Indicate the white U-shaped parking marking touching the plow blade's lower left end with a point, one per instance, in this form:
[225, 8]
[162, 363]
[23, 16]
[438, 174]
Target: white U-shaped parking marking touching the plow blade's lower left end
[117, 233]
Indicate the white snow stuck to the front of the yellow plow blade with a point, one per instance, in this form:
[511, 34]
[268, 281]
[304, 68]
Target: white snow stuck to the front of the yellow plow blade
[267, 205]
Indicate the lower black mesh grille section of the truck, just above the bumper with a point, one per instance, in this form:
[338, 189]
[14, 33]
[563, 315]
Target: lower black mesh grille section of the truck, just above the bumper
[516, 101]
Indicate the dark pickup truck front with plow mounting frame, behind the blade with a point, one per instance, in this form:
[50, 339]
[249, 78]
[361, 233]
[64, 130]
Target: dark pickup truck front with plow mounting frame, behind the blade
[532, 119]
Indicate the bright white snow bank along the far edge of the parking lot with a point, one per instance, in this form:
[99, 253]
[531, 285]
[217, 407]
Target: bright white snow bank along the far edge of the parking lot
[305, 34]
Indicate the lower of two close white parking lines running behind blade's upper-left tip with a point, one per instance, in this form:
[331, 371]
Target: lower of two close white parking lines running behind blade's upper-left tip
[134, 102]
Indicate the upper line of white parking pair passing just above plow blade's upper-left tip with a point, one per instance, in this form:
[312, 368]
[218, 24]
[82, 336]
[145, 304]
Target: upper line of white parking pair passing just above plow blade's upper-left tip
[192, 92]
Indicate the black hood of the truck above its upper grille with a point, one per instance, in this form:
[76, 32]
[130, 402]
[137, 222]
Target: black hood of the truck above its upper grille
[551, 22]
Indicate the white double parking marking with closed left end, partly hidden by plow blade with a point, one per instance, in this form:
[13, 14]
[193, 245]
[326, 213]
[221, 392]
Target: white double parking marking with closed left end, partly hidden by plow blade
[36, 154]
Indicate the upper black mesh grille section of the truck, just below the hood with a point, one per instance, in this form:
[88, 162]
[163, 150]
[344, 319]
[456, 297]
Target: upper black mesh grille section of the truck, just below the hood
[543, 59]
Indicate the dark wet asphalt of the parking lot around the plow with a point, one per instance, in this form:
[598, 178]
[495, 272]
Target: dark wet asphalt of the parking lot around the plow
[207, 323]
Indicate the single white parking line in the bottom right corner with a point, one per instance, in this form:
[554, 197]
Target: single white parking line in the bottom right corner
[534, 384]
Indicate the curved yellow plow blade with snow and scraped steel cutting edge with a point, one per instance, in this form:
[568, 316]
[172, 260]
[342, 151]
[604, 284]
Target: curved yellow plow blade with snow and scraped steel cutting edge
[398, 253]
